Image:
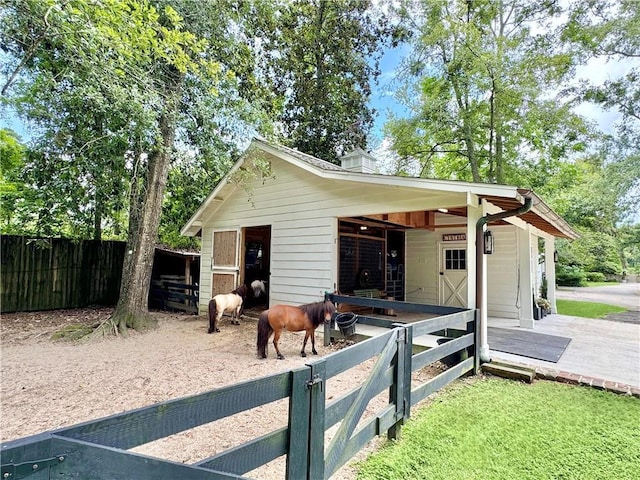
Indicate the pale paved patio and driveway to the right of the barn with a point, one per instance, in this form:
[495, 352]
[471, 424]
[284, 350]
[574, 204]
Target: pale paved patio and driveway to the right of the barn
[601, 350]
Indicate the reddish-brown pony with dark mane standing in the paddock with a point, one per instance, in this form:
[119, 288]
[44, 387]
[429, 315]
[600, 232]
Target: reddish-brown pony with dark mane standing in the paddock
[280, 317]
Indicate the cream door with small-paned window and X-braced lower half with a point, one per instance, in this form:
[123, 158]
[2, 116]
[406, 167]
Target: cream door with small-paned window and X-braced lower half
[452, 287]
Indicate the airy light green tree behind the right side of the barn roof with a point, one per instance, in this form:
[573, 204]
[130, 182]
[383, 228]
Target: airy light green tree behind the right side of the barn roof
[477, 83]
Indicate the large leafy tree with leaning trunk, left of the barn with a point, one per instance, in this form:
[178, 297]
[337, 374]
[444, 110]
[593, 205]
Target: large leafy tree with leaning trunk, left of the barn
[142, 61]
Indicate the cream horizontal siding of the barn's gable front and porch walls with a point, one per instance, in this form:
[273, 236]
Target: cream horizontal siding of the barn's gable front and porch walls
[302, 209]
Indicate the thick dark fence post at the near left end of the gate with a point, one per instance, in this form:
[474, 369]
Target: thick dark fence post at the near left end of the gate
[299, 417]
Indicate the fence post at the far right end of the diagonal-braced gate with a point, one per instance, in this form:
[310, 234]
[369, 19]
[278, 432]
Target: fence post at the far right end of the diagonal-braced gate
[400, 390]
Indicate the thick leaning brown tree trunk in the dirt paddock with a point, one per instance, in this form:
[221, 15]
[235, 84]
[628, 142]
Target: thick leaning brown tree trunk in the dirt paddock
[132, 309]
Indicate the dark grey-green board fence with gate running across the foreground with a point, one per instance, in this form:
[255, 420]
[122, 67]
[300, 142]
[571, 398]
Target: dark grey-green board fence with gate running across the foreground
[99, 449]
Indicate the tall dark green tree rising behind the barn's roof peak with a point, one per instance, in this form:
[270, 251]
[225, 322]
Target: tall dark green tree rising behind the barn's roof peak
[322, 62]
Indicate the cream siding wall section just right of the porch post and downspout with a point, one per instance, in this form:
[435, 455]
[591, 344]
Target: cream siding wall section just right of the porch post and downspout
[502, 273]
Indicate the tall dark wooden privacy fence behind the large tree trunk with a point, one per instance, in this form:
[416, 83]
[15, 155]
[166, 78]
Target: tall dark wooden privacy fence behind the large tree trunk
[53, 273]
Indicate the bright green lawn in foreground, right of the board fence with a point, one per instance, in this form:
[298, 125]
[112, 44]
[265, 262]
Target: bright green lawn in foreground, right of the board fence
[499, 429]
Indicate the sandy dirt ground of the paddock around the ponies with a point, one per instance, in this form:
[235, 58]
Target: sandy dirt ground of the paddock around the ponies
[50, 384]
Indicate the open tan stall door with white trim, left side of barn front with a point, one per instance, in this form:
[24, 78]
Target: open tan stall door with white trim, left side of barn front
[225, 261]
